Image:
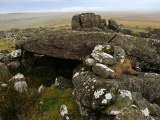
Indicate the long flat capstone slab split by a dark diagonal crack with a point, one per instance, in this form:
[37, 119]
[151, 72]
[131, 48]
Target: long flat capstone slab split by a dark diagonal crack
[77, 45]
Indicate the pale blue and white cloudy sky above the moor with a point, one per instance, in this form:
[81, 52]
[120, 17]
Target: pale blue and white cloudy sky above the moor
[78, 5]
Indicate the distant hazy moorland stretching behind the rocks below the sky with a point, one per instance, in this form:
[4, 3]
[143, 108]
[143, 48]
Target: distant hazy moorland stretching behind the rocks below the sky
[33, 20]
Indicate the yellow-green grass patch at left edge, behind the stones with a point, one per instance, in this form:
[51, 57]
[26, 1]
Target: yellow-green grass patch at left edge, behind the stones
[7, 44]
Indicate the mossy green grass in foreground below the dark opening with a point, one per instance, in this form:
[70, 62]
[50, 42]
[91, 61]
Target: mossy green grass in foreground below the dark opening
[52, 99]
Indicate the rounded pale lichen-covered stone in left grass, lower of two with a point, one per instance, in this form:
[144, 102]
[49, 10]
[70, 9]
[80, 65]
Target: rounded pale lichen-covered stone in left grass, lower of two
[21, 86]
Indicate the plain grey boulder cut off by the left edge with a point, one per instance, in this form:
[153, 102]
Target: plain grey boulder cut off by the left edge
[5, 75]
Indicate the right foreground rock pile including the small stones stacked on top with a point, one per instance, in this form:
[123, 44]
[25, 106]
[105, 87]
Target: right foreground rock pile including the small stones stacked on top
[103, 93]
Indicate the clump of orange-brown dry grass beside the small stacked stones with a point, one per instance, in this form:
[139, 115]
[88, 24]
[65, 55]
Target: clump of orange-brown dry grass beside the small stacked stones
[124, 67]
